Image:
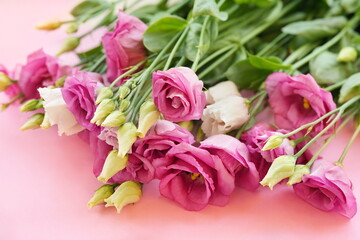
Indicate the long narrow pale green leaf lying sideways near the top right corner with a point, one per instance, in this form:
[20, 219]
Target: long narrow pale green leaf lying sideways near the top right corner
[316, 29]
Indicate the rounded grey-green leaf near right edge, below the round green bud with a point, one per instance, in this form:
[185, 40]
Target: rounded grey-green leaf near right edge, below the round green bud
[327, 70]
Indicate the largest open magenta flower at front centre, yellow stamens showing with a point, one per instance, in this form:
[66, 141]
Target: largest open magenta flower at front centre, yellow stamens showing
[195, 178]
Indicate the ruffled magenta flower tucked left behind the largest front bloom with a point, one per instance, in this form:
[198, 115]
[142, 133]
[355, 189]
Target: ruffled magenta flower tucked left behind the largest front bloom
[147, 160]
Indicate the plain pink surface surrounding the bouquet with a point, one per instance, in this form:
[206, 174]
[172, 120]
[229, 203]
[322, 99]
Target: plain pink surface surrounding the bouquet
[46, 180]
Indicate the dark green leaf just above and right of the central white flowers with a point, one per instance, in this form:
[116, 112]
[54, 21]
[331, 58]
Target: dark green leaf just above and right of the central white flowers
[246, 76]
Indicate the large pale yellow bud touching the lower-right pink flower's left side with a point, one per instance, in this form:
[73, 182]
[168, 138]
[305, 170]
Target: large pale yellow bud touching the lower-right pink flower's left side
[282, 167]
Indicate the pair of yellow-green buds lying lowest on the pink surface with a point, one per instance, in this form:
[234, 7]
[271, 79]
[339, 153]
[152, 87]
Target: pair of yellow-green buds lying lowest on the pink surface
[127, 193]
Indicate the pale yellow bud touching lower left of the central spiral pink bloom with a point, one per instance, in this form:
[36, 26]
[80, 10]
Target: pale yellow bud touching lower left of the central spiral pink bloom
[148, 116]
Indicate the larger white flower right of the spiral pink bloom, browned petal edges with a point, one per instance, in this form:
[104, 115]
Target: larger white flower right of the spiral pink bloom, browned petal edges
[225, 115]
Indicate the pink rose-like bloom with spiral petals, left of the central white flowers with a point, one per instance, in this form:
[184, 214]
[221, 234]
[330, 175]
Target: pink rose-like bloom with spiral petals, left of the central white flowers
[178, 94]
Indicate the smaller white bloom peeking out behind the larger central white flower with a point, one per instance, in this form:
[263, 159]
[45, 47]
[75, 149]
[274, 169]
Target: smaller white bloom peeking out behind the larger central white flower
[221, 91]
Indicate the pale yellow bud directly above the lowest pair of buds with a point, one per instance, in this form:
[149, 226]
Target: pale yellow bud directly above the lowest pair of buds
[113, 164]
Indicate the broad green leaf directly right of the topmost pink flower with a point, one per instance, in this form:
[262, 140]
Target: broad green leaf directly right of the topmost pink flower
[162, 31]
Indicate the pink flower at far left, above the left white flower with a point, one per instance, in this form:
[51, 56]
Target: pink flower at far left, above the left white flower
[41, 70]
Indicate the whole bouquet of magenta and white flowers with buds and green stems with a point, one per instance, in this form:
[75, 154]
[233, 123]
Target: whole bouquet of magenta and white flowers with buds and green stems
[204, 96]
